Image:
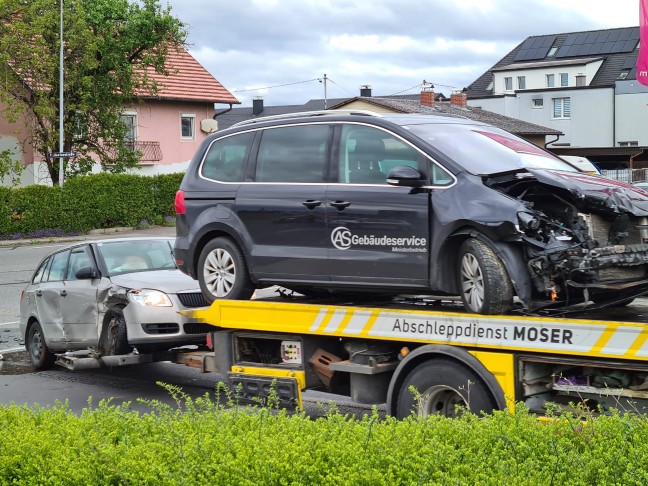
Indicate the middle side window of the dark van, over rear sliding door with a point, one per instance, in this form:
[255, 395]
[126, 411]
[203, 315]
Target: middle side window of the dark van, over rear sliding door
[293, 154]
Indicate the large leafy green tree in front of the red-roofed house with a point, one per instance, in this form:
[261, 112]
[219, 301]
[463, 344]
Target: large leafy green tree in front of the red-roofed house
[109, 45]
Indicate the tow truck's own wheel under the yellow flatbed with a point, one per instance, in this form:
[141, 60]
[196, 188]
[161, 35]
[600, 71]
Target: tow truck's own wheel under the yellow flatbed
[441, 385]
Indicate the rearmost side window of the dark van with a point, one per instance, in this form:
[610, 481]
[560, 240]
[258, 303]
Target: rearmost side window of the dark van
[225, 158]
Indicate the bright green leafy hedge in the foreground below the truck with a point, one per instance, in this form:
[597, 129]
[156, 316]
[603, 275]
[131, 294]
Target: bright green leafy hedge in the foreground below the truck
[208, 444]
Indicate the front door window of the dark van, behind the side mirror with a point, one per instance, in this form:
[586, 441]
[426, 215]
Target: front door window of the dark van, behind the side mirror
[367, 155]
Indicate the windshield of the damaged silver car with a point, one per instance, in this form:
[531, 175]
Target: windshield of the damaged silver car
[137, 256]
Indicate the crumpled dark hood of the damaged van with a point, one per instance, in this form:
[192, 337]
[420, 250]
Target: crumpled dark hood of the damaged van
[598, 190]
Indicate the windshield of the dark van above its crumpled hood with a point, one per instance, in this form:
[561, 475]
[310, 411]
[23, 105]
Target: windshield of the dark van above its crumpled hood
[483, 150]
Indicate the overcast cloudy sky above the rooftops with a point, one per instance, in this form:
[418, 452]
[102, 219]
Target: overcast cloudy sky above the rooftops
[391, 45]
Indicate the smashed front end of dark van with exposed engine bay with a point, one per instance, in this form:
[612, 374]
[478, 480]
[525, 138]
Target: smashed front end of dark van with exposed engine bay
[582, 242]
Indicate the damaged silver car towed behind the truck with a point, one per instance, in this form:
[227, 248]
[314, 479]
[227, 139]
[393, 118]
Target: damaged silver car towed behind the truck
[111, 295]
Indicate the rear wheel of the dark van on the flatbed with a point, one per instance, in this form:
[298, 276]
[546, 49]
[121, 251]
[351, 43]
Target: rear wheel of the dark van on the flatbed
[222, 271]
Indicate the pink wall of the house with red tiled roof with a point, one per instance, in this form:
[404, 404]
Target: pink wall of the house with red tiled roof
[159, 121]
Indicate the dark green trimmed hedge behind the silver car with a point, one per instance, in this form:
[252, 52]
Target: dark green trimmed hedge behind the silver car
[88, 202]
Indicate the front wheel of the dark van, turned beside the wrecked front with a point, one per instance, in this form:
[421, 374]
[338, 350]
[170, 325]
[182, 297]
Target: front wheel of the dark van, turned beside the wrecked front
[485, 285]
